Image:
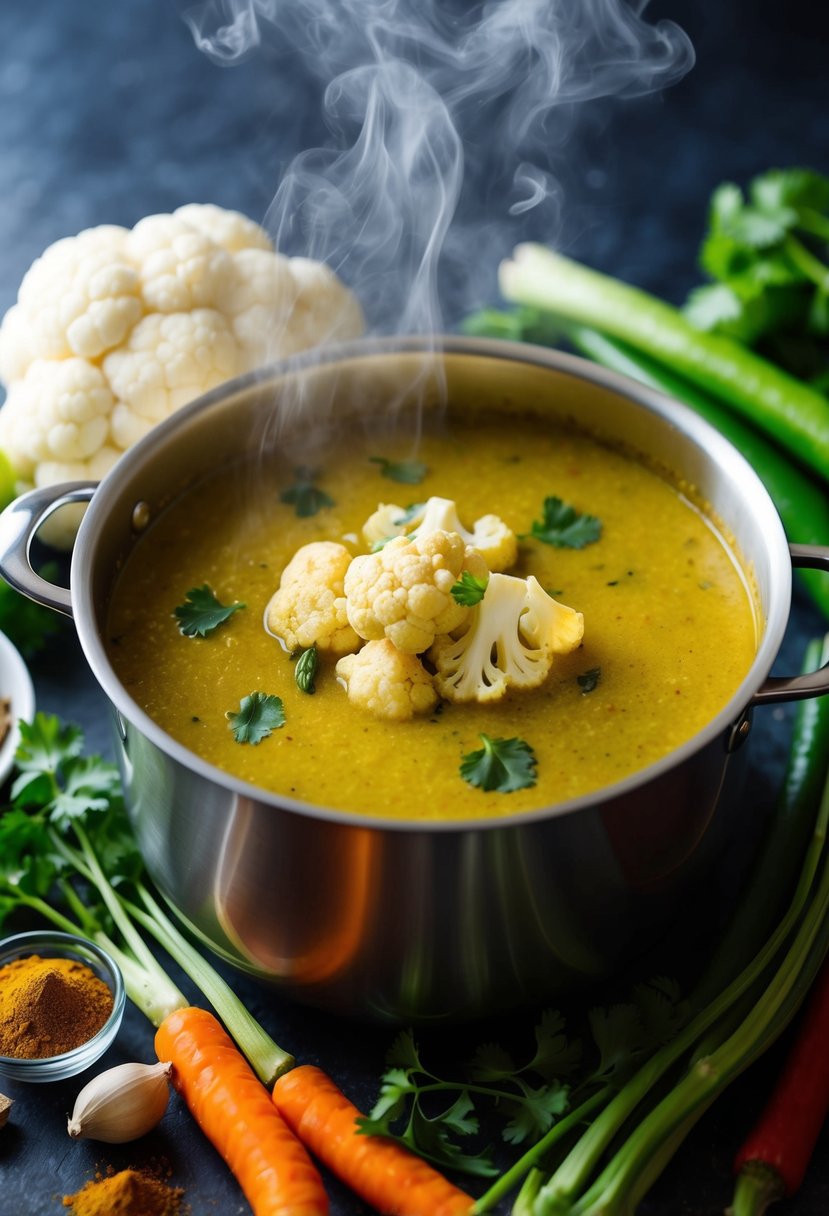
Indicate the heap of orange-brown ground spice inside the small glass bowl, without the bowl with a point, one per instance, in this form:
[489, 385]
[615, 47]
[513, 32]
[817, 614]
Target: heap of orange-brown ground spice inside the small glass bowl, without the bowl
[50, 1006]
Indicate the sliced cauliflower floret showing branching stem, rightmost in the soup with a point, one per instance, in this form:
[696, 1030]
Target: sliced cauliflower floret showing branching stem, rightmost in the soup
[511, 640]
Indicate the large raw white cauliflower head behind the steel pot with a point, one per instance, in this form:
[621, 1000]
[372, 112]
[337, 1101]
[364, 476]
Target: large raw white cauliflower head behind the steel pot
[143, 320]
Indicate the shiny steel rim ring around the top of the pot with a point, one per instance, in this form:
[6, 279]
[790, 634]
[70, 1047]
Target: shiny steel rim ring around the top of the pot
[683, 418]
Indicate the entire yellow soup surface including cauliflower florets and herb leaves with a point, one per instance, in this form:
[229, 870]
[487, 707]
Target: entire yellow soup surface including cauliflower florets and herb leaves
[546, 596]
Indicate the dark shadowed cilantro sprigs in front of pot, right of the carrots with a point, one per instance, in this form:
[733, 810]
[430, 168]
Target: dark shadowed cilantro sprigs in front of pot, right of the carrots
[539, 1104]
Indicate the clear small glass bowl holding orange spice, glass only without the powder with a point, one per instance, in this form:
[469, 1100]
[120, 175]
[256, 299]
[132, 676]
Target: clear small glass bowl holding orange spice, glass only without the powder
[50, 944]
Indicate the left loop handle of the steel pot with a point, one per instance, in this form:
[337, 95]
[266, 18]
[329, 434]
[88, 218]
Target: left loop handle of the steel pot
[19, 525]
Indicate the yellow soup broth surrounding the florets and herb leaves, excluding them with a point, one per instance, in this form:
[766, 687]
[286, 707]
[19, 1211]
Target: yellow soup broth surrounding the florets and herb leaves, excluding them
[670, 624]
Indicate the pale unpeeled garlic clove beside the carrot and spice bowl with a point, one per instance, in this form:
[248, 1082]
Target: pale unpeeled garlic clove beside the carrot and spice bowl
[122, 1104]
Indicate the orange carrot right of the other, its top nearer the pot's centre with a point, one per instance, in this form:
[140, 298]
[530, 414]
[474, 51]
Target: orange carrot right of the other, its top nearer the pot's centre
[394, 1181]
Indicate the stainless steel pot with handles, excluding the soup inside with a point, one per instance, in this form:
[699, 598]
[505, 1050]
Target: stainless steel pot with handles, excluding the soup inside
[398, 920]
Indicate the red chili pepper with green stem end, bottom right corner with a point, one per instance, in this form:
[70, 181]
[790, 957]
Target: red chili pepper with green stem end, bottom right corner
[774, 1159]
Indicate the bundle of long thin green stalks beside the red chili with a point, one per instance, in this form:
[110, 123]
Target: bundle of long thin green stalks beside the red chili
[585, 1184]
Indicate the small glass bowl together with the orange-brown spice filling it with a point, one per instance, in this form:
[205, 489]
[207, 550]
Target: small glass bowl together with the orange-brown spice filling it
[61, 1005]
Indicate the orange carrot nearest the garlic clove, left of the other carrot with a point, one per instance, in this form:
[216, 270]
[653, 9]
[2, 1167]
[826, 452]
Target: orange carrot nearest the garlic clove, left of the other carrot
[236, 1113]
